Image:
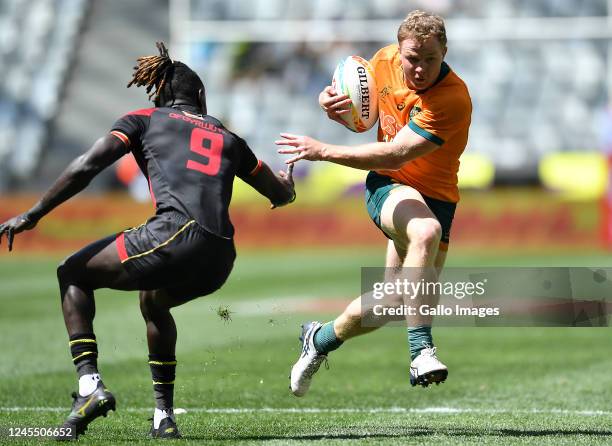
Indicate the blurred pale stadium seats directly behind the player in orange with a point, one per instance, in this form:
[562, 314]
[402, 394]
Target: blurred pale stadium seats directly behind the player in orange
[531, 97]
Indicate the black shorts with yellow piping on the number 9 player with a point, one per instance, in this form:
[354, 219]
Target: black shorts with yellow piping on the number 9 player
[172, 252]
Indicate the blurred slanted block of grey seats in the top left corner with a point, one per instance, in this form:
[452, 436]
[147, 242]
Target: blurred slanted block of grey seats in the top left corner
[36, 42]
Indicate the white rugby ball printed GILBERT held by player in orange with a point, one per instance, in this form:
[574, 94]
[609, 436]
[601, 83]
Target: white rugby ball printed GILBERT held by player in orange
[354, 77]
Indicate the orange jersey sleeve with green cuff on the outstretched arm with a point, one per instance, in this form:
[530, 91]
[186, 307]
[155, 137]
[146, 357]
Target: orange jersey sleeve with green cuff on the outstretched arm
[440, 119]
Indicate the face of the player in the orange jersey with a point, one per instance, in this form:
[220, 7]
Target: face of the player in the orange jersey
[421, 62]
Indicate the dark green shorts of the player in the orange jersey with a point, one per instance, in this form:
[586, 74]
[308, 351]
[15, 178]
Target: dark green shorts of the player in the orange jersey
[378, 188]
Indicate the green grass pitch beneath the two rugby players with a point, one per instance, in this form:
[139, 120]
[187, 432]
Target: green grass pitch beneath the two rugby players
[506, 386]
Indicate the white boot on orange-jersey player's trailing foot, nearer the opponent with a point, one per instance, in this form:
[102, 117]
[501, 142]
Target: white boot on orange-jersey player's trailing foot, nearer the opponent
[309, 361]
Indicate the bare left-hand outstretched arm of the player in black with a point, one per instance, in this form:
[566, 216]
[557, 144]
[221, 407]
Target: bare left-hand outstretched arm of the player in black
[74, 179]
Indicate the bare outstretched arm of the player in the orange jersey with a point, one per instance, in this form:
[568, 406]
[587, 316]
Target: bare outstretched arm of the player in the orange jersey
[406, 146]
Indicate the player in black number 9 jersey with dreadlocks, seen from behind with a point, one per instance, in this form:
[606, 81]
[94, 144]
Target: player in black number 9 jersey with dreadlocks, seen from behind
[184, 251]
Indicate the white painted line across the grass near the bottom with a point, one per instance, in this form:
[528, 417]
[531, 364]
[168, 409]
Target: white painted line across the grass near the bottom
[314, 410]
